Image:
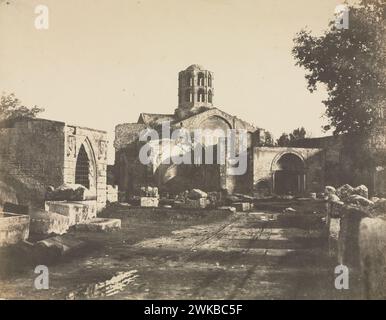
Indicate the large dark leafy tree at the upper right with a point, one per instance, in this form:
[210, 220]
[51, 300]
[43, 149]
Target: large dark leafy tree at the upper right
[351, 63]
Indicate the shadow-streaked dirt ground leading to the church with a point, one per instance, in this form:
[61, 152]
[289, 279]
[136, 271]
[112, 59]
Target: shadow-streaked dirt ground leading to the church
[185, 255]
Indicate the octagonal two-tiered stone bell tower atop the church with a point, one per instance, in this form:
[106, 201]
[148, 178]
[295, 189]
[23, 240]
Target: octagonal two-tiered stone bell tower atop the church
[195, 90]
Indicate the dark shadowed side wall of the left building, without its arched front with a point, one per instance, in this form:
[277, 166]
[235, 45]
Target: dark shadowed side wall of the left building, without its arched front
[31, 158]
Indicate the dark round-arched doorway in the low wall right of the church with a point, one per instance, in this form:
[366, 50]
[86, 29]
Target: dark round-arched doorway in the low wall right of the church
[289, 175]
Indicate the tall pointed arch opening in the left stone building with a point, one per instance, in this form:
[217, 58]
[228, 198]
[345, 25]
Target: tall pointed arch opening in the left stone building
[85, 168]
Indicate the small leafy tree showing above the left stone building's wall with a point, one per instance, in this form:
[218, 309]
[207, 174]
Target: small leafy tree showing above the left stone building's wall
[12, 108]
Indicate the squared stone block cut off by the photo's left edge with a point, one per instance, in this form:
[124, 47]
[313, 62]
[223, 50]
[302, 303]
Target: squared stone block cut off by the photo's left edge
[13, 228]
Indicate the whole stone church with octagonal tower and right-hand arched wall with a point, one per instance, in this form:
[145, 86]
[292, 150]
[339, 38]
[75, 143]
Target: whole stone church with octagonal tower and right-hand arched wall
[270, 170]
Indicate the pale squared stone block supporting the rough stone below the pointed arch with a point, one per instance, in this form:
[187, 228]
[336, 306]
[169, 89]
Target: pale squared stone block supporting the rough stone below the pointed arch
[77, 212]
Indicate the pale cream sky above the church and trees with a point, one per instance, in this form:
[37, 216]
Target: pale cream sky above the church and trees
[102, 62]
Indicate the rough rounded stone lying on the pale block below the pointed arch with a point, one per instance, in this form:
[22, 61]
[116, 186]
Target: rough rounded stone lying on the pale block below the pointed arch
[70, 192]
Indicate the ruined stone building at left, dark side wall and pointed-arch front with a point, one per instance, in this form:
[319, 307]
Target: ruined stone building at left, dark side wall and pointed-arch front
[38, 153]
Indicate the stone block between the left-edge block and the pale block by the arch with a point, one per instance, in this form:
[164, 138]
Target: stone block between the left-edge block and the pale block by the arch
[43, 222]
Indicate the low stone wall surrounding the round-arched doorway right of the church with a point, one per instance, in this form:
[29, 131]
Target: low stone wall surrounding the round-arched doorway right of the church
[265, 157]
